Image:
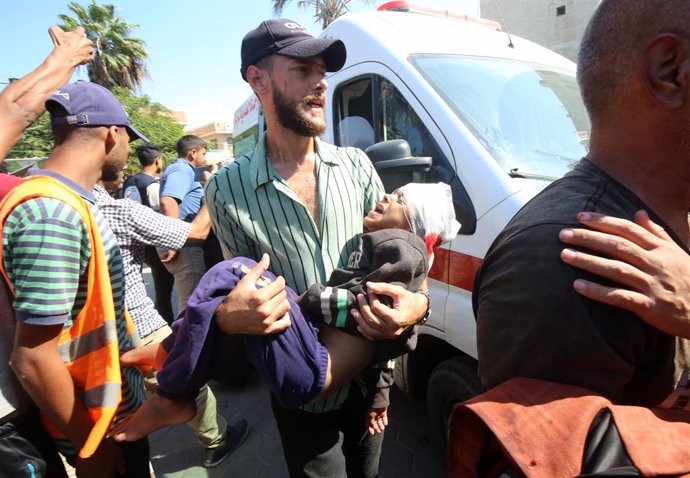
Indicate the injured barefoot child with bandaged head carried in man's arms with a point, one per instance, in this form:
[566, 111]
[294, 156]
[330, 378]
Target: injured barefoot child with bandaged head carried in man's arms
[322, 349]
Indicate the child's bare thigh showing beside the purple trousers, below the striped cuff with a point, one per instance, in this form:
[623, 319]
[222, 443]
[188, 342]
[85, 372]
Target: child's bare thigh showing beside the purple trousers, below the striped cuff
[347, 356]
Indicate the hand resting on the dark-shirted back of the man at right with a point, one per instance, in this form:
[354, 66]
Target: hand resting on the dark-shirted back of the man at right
[652, 270]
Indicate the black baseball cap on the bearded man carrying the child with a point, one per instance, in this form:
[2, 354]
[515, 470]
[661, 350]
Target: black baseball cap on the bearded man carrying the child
[289, 38]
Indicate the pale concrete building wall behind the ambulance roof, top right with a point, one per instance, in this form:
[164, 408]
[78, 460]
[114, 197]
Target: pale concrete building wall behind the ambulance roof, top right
[537, 20]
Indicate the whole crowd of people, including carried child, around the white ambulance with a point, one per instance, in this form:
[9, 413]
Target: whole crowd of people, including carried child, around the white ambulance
[324, 276]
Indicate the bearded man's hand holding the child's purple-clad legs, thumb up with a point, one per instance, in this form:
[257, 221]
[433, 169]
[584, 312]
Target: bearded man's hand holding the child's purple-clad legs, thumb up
[250, 310]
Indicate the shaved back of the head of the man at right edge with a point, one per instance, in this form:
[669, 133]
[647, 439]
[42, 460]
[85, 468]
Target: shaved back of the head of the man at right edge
[610, 51]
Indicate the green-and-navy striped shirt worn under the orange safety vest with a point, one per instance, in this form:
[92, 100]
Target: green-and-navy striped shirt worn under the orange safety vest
[46, 251]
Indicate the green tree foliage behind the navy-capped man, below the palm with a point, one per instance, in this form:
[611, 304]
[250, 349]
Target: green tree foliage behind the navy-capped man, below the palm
[151, 118]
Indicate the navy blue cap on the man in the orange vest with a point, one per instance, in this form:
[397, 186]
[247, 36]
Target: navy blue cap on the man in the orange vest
[89, 104]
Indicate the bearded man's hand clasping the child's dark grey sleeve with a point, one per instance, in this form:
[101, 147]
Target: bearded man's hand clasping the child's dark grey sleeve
[378, 321]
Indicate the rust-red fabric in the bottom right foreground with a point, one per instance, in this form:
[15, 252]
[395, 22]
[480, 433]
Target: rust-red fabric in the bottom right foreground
[542, 426]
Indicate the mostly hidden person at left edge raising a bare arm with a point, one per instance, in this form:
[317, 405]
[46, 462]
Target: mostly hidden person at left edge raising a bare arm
[25, 447]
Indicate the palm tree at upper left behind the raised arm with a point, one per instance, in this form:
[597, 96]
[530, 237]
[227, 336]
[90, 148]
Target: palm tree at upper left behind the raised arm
[119, 60]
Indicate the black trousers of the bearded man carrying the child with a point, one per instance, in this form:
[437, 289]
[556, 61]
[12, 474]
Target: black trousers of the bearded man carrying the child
[333, 444]
